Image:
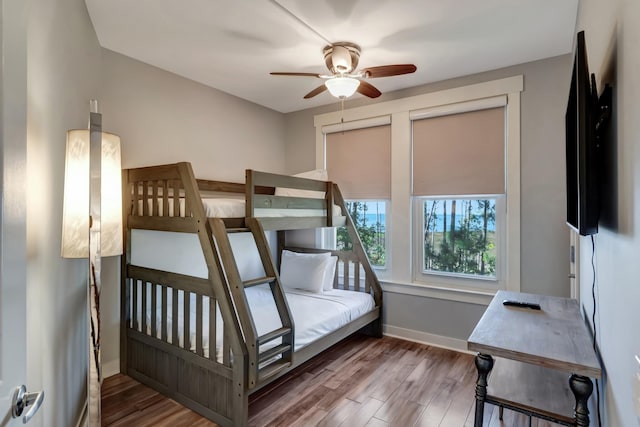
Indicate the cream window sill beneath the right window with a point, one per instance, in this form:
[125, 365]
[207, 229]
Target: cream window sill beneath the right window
[438, 292]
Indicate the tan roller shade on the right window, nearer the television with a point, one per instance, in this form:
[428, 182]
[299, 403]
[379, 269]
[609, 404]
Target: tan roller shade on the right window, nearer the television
[459, 154]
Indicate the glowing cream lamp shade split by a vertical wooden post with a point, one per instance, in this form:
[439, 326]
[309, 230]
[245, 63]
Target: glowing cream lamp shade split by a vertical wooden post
[75, 216]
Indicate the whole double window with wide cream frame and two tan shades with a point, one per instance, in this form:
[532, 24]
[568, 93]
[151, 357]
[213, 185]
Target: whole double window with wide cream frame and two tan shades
[476, 169]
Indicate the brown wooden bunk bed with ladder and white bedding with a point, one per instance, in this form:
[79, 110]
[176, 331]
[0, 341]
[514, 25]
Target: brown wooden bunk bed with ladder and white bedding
[214, 346]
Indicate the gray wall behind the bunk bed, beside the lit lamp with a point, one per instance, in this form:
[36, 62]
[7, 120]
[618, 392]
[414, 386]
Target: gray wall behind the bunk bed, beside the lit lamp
[163, 118]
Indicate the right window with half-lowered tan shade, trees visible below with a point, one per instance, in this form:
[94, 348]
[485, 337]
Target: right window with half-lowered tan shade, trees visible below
[458, 189]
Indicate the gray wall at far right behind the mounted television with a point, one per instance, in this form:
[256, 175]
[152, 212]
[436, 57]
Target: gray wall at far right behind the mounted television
[612, 36]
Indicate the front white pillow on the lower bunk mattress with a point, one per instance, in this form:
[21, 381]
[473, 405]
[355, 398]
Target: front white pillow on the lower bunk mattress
[303, 271]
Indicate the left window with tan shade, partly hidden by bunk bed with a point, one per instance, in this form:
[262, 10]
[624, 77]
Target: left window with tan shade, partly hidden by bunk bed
[358, 160]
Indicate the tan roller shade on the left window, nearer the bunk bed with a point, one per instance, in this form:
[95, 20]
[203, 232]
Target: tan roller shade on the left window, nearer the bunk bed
[359, 161]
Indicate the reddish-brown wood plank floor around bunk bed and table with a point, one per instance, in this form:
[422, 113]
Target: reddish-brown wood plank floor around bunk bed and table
[361, 381]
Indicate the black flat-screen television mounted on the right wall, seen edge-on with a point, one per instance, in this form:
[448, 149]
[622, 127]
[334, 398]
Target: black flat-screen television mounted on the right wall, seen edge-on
[585, 114]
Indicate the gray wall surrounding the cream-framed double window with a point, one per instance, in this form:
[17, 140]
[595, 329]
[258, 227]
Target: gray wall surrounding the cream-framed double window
[545, 237]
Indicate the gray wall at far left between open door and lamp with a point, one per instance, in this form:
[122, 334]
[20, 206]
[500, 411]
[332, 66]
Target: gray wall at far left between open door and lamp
[63, 74]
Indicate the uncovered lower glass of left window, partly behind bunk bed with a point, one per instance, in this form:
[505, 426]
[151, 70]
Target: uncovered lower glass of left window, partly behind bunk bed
[369, 218]
